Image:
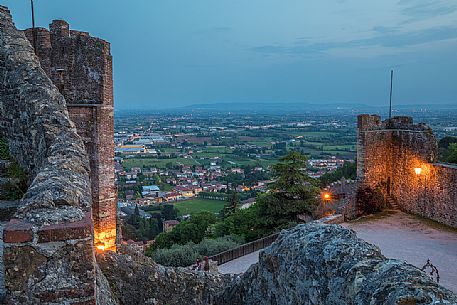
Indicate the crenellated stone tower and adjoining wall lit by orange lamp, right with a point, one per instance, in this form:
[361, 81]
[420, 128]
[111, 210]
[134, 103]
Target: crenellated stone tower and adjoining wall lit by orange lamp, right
[389, 151]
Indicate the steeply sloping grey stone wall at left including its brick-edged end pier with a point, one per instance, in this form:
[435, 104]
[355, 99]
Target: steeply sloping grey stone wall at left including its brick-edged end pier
[48, 246]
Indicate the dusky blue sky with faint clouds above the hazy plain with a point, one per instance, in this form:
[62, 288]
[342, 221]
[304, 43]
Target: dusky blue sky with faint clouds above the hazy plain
[171, 53]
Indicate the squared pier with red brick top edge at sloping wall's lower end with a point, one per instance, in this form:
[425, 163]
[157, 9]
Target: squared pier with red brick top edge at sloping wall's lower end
[49, 264]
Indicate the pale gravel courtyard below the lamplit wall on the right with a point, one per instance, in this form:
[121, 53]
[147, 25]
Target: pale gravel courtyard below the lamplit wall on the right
[414, 240]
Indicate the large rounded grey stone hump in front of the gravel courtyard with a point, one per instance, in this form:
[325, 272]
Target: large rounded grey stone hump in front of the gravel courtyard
[328, 264]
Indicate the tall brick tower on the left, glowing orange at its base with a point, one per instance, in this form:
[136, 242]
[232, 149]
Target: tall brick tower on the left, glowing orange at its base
[81, 67]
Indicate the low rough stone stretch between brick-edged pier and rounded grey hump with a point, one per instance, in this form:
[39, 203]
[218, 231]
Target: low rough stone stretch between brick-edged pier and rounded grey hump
[141, 281]
